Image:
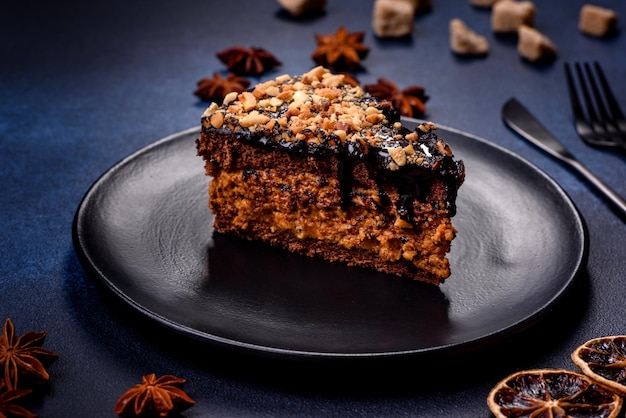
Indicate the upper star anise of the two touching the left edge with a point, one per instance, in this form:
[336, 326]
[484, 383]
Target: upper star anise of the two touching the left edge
[21, 358]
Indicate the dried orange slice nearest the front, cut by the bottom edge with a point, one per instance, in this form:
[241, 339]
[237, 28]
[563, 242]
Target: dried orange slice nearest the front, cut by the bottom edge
[554, 393]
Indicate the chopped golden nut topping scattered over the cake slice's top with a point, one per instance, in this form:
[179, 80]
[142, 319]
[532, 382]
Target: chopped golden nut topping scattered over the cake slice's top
[320, 108]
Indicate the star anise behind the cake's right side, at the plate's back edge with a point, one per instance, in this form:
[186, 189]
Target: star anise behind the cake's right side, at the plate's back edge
[410, 101]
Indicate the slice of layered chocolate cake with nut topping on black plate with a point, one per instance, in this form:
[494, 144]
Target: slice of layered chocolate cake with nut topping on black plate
[321, 168]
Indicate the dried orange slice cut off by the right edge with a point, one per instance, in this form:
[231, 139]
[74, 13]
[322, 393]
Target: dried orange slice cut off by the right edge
[604, 360]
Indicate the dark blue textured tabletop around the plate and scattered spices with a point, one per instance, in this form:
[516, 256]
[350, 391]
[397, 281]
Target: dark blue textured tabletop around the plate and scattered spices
[82, 85]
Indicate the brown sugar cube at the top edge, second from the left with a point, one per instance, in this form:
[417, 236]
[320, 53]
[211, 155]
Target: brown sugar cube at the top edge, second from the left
[392, 18]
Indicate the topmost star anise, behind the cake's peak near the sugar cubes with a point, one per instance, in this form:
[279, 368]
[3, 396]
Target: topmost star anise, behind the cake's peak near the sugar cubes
[342, 51]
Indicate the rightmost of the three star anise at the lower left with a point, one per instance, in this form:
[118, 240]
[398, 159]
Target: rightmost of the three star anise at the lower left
[154, 398]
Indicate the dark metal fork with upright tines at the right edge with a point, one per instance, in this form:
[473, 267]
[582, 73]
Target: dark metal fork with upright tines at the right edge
[603, 124]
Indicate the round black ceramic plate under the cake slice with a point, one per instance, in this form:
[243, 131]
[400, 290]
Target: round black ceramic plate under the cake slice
[144, 229]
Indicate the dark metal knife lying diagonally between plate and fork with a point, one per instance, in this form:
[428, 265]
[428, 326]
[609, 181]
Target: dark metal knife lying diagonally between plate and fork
[518, 118]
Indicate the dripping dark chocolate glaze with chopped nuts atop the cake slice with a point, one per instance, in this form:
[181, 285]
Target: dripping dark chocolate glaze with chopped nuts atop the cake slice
[317, 114]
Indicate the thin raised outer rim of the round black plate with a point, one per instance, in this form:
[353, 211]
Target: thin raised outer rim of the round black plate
[476, 343]
